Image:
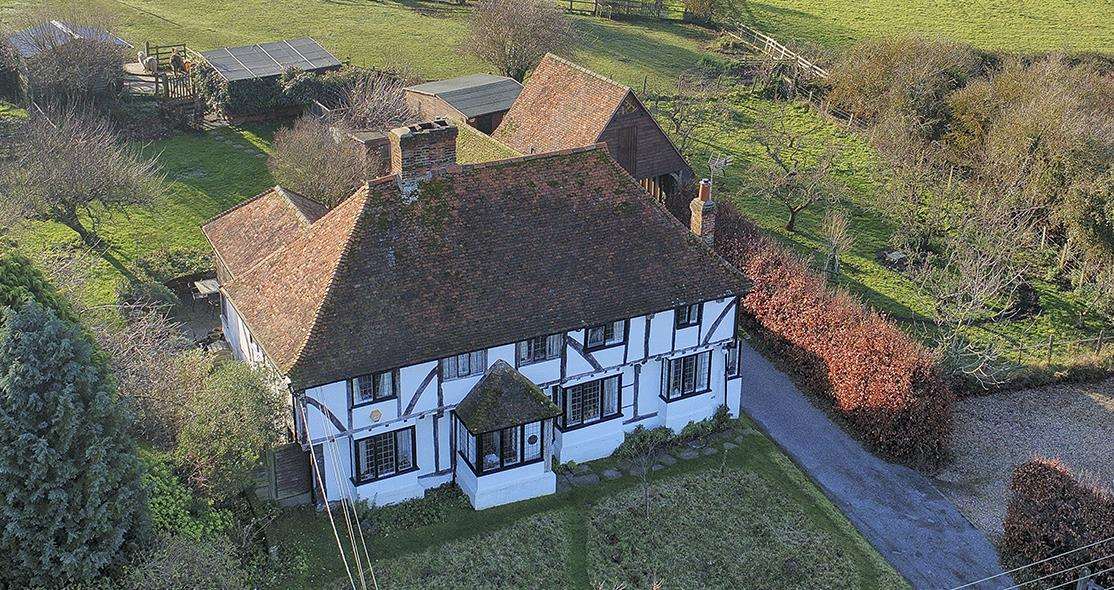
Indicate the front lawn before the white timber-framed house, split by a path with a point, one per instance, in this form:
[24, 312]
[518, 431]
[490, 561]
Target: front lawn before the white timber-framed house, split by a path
[747, 518]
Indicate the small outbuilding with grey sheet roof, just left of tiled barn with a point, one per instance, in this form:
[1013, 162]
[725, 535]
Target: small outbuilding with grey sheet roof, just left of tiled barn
[480, 101]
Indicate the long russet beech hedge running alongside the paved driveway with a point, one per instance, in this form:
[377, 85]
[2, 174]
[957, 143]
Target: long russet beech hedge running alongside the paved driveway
[884, 382]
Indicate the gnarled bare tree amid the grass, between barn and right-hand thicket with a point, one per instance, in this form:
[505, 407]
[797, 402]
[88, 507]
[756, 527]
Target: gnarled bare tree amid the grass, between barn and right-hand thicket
[798, 179]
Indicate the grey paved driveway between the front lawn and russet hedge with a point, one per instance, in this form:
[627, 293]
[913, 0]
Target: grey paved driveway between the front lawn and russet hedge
[918, 530]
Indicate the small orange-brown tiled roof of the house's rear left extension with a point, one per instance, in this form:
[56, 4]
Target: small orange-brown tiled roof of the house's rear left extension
[260, 225]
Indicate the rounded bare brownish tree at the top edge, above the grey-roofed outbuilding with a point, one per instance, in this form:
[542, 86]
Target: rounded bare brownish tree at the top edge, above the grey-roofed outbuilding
[513, 36]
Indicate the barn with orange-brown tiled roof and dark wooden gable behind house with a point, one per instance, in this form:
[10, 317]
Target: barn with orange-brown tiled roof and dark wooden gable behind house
[565, 106]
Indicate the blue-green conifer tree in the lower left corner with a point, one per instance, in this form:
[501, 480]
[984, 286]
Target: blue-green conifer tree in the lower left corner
[71, 498]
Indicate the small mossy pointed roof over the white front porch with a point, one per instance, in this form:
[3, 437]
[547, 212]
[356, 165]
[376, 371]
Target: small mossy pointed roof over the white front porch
[504, 398]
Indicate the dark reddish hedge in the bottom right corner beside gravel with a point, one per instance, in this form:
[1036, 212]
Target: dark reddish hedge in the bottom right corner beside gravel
[1052, 513]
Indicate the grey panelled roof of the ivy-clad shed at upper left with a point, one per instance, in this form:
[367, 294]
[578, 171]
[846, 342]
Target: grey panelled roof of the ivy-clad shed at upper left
[265, 61]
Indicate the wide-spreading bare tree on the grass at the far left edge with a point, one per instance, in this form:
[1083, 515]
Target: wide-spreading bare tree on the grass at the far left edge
[72, 169]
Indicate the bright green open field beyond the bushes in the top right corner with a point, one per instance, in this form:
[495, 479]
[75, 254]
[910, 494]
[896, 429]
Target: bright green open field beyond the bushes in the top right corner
[994, 25]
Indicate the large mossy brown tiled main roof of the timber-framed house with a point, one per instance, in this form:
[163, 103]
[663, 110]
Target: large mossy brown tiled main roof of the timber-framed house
[488, 254]
